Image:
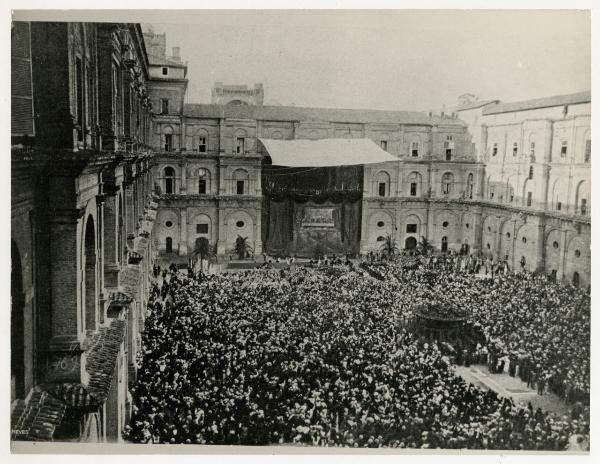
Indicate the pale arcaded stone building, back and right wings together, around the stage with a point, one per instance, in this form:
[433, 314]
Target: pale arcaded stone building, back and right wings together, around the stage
[457, 180]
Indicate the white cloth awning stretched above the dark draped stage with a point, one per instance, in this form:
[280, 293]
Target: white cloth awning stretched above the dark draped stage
[325, 152]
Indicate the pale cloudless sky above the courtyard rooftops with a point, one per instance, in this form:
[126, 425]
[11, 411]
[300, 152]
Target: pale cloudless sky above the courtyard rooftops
[407, 60]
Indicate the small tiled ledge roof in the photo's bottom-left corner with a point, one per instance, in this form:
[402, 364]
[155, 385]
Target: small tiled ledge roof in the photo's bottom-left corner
[37, 417]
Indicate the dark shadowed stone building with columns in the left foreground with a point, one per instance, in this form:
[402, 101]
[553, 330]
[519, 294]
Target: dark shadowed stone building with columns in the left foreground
[81, 226]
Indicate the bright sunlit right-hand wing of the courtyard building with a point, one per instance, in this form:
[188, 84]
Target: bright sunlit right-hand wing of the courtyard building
[536, 190]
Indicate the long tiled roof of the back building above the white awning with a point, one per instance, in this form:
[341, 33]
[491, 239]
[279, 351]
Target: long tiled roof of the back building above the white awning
[293, 113]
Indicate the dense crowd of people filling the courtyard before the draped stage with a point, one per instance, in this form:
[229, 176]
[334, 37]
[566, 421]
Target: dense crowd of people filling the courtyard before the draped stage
[312, 356]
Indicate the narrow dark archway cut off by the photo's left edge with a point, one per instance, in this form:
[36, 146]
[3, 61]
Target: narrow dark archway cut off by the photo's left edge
[17, 329]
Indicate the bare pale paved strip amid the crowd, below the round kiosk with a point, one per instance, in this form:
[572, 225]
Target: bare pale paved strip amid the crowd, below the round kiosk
[511, 387]
